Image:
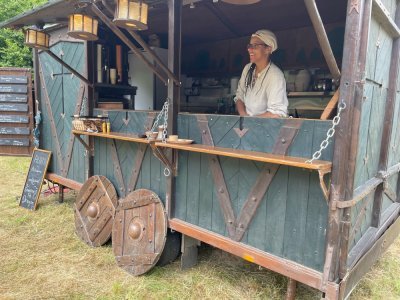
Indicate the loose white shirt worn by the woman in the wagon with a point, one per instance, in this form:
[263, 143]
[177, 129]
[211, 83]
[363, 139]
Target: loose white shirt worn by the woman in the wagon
[268, 95]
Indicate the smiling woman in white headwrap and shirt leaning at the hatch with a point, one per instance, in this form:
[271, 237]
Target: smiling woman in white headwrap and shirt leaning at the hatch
[262, 87]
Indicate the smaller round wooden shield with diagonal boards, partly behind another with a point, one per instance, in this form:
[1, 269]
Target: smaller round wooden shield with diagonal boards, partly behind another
[94, 210]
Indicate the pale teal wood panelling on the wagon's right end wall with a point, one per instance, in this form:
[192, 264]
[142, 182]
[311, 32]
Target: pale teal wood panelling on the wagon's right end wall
[372, 118]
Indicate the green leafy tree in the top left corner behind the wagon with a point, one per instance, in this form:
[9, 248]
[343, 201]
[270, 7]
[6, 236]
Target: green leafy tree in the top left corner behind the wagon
[13, 53]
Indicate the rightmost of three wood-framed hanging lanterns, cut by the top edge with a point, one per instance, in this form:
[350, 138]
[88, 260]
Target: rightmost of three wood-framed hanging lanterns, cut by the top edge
[131, 14]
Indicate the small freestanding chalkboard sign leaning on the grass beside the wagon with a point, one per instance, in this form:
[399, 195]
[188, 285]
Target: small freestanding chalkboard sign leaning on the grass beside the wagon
[34, 179]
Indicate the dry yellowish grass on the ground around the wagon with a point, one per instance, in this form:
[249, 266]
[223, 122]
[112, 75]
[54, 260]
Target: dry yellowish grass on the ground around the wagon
[42, 258]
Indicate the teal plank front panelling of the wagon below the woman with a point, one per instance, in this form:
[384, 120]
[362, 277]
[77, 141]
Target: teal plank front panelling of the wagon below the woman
[291, 219]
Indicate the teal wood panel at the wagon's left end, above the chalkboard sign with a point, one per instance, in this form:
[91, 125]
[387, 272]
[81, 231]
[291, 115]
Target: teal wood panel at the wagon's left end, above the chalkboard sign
[63, 88]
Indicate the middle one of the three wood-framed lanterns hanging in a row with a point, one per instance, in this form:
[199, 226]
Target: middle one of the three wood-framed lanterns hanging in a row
[83, 27]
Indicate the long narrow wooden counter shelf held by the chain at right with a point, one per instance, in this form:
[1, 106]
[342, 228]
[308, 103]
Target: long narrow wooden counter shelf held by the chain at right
[252, 155]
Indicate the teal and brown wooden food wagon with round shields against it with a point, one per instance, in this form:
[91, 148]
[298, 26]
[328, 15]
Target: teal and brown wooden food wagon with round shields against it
[246, 185]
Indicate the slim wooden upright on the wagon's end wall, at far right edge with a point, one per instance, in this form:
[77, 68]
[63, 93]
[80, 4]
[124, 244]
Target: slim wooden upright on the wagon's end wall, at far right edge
[388, 123]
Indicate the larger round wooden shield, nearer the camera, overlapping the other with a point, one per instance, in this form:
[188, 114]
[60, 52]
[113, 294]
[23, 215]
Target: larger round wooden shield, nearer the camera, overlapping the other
[139, 231]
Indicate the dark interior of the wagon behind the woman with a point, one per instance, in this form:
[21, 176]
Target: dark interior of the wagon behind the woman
[214, 38]
